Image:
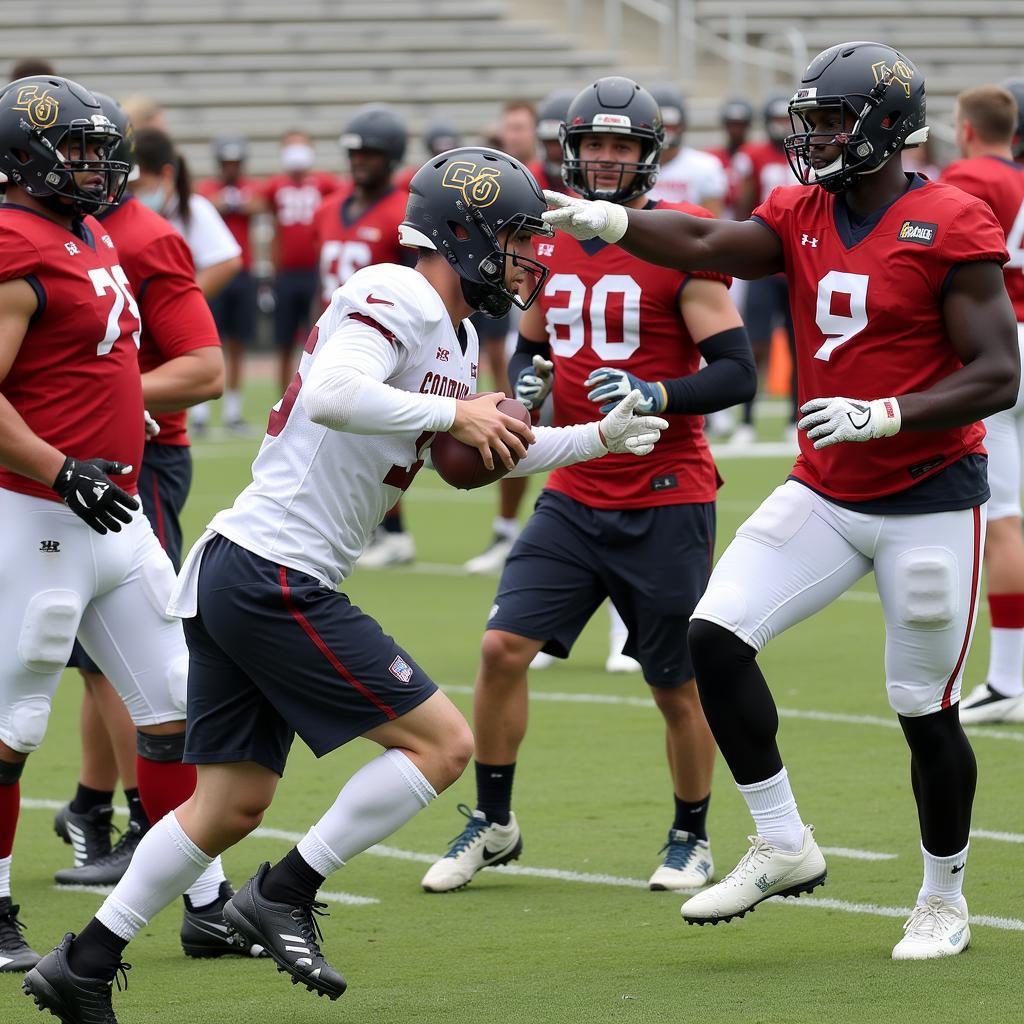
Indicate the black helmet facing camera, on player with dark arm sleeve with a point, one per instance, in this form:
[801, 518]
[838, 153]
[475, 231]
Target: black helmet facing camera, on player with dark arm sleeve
[614, 105]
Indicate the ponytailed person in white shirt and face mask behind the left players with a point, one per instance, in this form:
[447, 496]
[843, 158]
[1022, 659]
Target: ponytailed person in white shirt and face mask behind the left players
[164, 186]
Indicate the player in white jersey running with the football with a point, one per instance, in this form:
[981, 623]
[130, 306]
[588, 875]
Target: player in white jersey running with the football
[276, 649]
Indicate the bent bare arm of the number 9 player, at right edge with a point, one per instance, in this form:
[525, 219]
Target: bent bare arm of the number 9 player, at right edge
[982, 325]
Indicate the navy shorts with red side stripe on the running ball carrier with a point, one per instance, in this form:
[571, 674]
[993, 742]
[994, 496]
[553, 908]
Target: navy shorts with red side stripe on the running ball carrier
[274, 653]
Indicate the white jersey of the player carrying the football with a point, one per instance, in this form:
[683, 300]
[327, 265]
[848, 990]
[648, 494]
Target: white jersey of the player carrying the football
[318, 494]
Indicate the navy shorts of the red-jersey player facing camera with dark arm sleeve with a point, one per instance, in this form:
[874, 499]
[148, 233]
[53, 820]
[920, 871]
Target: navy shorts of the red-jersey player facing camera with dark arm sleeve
[653, 564]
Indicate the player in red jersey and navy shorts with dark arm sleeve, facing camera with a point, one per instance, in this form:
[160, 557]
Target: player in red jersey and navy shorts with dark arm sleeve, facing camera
[607, 324]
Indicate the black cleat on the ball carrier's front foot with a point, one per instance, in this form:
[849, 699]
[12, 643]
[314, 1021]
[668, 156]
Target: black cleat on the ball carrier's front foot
[289, 934]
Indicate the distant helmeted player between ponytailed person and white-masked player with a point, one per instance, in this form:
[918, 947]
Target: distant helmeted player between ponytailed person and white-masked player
[237, 199]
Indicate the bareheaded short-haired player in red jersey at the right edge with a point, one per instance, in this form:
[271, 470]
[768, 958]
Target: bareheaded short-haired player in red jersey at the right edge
[987, 122]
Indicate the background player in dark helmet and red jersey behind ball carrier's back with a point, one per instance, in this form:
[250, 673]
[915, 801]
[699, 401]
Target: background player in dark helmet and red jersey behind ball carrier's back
[359, 227]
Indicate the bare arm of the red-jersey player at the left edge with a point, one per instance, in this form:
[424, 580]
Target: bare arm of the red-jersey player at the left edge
[21, 450]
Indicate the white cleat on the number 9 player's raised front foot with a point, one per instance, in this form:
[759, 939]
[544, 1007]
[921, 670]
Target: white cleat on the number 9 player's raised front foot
[764, 872]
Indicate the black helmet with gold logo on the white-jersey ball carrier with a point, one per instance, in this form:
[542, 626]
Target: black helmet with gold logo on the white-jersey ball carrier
[458, 204]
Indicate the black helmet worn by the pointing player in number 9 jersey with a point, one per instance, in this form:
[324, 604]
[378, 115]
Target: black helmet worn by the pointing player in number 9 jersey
[882, 97]
